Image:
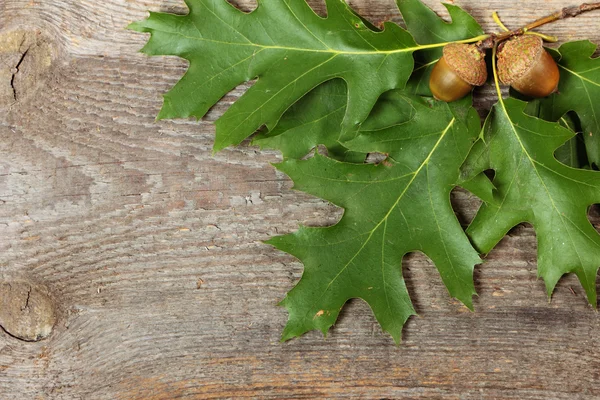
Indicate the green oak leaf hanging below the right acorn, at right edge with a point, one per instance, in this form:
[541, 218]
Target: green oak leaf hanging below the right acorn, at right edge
[532, 186]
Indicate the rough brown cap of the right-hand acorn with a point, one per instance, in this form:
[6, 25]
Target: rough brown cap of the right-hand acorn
[518, 56]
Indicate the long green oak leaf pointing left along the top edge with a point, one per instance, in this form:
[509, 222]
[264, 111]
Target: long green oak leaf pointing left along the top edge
[284, 44]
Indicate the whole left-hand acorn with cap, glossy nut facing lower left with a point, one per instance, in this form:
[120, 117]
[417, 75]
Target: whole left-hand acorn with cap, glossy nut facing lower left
[461, 67]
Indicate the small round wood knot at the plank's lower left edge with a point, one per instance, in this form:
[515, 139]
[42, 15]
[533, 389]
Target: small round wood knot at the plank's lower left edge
[26, 310]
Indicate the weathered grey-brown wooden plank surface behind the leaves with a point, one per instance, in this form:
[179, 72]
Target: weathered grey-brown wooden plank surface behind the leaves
[145, 253]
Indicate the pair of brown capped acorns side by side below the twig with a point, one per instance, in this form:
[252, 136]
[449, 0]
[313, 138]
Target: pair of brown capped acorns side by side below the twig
[522, 63]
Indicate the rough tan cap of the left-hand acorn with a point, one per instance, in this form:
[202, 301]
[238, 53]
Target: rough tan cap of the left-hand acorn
[467, 61]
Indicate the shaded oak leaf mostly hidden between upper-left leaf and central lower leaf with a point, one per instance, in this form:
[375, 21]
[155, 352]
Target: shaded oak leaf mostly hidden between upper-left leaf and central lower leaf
[317, 117]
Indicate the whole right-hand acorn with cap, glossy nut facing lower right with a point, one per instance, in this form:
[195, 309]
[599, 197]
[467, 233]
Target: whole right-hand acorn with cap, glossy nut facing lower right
[527, 67]
